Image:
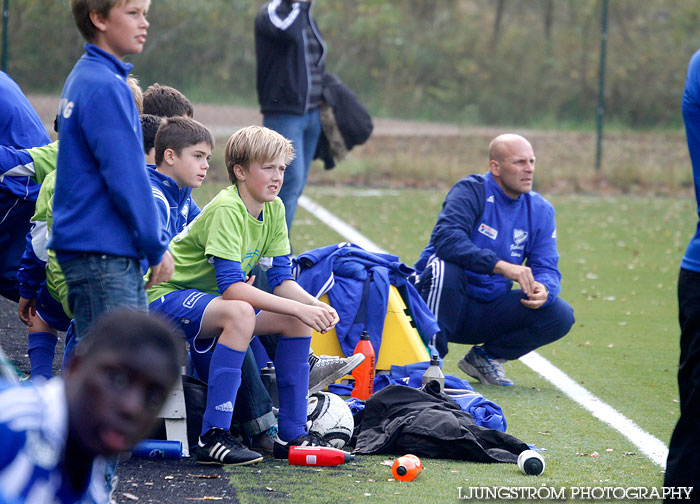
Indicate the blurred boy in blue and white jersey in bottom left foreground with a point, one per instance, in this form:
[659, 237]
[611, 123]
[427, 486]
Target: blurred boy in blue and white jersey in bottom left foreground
[55, 436]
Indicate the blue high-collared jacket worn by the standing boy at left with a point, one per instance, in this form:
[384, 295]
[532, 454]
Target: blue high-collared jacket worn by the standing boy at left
[103, 201]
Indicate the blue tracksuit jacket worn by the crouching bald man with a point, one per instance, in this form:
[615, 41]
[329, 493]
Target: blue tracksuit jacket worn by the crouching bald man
[479, 225]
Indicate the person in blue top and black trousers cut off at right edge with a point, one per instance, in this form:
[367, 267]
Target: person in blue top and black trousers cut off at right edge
[683, 466]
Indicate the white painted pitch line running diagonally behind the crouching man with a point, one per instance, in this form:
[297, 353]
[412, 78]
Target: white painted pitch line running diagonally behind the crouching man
[648, 444]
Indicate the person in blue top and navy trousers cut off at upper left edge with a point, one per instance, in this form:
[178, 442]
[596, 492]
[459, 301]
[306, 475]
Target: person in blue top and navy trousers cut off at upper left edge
[21, 128]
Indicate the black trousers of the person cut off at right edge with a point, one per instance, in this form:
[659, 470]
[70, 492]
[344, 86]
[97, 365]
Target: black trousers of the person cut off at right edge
[683, 465]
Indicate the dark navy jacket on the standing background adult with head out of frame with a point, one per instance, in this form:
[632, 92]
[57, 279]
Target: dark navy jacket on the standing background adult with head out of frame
[282, 76]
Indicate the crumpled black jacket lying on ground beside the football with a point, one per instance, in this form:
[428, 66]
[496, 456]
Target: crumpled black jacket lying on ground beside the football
[400, 419]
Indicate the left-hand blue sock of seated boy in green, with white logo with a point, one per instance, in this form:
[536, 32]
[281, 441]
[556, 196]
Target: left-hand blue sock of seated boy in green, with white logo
[224, 380]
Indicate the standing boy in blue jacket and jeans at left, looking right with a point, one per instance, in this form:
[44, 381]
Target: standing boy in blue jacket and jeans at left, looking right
[105, 219]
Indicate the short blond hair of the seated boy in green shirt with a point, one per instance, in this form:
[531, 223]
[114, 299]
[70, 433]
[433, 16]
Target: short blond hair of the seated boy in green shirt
[255, 144]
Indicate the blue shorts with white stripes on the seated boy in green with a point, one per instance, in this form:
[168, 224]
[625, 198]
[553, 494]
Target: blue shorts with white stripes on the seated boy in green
[185, 308]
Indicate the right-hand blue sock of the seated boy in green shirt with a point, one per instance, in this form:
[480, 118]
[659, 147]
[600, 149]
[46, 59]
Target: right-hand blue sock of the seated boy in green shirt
[292, 368]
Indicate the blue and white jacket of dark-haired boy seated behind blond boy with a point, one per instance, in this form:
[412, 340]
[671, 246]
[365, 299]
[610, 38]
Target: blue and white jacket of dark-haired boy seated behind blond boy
[174, 205]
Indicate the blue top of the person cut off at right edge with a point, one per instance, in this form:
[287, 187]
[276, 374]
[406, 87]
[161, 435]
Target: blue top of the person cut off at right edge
[691, 117]
